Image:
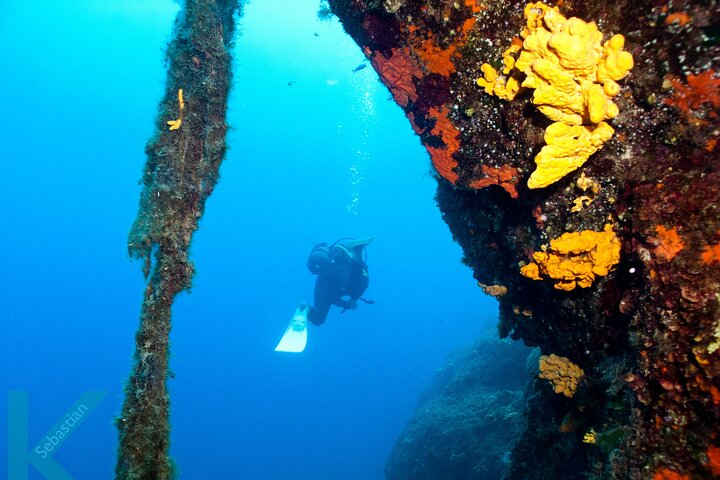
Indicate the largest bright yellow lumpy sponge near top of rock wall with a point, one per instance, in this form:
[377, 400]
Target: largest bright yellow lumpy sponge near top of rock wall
[575, 78]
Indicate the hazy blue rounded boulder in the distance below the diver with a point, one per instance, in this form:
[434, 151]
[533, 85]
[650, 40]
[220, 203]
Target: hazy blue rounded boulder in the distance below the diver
[468, 420]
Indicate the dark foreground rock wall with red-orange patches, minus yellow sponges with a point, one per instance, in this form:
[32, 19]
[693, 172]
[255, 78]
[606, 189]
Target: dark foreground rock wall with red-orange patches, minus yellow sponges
[646, 334]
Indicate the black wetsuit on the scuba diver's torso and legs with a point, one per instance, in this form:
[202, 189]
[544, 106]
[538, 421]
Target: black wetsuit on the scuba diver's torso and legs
[341, 283]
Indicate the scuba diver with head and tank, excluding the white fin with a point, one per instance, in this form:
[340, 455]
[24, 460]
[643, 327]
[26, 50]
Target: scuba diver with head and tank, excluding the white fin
[342, 277]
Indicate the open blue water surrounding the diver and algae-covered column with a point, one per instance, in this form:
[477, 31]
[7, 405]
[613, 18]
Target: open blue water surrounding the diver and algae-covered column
[328, 157]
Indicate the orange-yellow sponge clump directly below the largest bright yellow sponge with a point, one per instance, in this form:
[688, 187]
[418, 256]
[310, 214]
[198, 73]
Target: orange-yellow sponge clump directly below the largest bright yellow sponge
[576, 259]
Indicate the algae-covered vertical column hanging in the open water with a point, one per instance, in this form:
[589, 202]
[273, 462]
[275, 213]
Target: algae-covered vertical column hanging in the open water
[183, 158]
